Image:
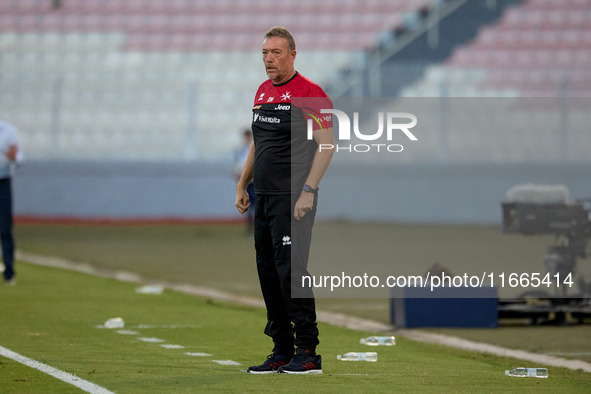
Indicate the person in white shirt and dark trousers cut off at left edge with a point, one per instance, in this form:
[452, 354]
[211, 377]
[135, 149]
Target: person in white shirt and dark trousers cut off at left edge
[10, 155]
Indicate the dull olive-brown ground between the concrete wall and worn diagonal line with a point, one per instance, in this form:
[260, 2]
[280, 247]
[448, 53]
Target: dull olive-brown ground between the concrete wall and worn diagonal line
[223, 258]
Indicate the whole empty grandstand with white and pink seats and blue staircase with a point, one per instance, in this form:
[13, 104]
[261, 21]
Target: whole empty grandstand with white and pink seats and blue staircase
[155, 80]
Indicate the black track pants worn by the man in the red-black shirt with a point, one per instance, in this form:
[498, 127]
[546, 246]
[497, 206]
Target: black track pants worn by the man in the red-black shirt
[283, 244]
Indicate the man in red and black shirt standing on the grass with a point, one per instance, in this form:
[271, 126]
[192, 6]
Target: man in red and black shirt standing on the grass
[285, 191]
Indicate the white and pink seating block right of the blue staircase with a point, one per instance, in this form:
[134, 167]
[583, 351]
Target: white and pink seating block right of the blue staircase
[538, 49]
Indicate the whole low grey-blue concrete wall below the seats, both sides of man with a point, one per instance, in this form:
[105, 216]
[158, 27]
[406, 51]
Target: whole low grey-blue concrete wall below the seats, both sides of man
[411, 193]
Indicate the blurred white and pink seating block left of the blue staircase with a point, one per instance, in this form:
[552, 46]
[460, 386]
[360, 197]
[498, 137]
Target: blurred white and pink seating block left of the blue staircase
[118, 78]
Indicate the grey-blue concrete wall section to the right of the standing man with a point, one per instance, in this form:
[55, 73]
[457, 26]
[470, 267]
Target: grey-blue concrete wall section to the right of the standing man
[439, 193]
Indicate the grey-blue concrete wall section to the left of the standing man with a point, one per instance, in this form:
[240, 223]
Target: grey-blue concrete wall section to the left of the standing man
[124, 190]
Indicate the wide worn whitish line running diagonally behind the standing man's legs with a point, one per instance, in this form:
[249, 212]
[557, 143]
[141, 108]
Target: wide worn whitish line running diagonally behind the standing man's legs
[335, 319]
